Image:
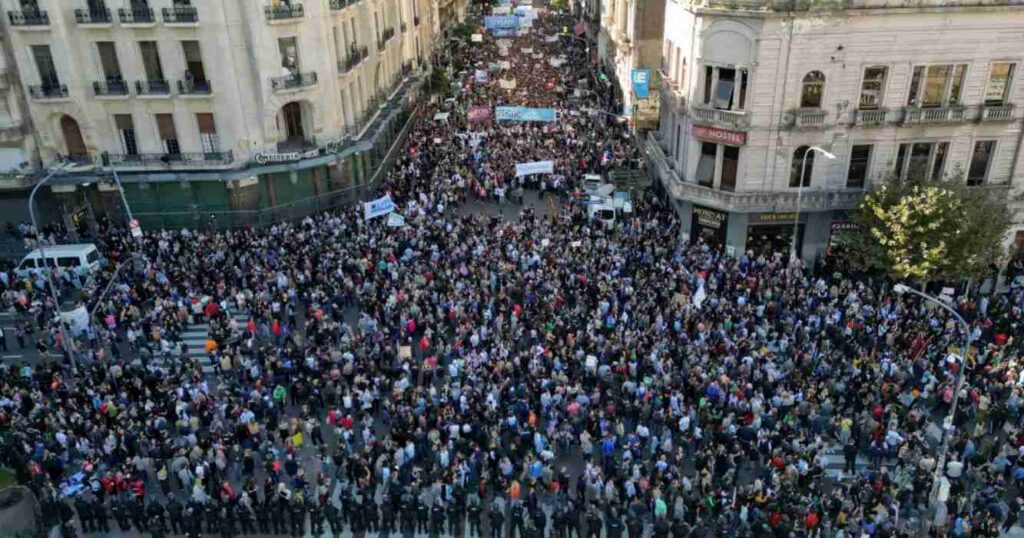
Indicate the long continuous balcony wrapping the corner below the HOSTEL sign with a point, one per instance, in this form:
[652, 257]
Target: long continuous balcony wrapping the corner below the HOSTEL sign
[782, 201]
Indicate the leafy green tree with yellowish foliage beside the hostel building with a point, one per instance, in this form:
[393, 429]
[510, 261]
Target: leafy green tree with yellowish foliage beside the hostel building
[928, 230]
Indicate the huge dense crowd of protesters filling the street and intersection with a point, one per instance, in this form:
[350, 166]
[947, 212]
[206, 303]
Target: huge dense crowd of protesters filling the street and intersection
[537, 376]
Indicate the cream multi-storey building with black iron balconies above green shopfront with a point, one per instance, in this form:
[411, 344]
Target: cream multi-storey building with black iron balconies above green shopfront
[228, 91]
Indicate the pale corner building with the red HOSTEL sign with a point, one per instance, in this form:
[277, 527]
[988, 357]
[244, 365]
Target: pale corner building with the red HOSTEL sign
[889, 88]
